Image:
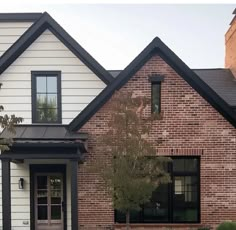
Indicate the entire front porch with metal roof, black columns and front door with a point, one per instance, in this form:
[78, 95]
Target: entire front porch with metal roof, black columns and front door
[42, 161]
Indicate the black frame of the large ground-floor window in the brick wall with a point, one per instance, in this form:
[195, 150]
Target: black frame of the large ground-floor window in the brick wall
[171, 197]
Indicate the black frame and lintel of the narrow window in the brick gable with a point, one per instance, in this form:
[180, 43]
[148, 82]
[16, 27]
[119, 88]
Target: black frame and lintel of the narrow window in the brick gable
[156, 80]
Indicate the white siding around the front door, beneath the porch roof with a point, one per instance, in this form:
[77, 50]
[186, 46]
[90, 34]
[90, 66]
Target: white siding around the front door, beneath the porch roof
[20, 199]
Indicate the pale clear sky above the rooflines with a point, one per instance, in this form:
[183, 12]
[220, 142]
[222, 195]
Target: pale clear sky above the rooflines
[114, 34]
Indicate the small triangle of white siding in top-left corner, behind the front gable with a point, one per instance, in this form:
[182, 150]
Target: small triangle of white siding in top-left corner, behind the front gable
[10, 32]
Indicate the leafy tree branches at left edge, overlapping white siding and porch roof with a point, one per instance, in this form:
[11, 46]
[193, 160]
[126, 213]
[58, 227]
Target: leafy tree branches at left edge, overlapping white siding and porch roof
[8, 122]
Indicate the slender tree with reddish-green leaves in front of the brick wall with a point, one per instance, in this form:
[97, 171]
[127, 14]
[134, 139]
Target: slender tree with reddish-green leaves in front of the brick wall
[135, 171]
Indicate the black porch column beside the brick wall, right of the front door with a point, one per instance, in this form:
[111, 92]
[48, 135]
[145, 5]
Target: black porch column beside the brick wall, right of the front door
[74, 195]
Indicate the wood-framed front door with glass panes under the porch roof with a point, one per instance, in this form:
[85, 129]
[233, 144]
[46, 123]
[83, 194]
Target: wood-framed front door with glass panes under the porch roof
[48, 201]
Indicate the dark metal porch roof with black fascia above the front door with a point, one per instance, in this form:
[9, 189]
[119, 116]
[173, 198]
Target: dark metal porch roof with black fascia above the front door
[44, 142]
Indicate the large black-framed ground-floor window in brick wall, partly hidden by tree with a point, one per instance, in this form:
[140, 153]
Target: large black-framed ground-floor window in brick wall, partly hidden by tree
[177, 202]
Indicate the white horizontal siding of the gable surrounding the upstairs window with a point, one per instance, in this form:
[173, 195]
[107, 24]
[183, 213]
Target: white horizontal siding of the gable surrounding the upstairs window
[79, 84]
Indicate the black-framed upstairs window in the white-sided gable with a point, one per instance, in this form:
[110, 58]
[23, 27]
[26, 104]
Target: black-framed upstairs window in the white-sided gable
[46, 97]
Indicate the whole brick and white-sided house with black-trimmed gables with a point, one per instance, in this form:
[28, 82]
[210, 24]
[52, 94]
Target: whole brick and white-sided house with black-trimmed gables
[63, 94]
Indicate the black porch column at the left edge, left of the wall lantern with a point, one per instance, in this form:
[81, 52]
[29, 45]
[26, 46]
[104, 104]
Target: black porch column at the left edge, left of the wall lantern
[6, 194]
